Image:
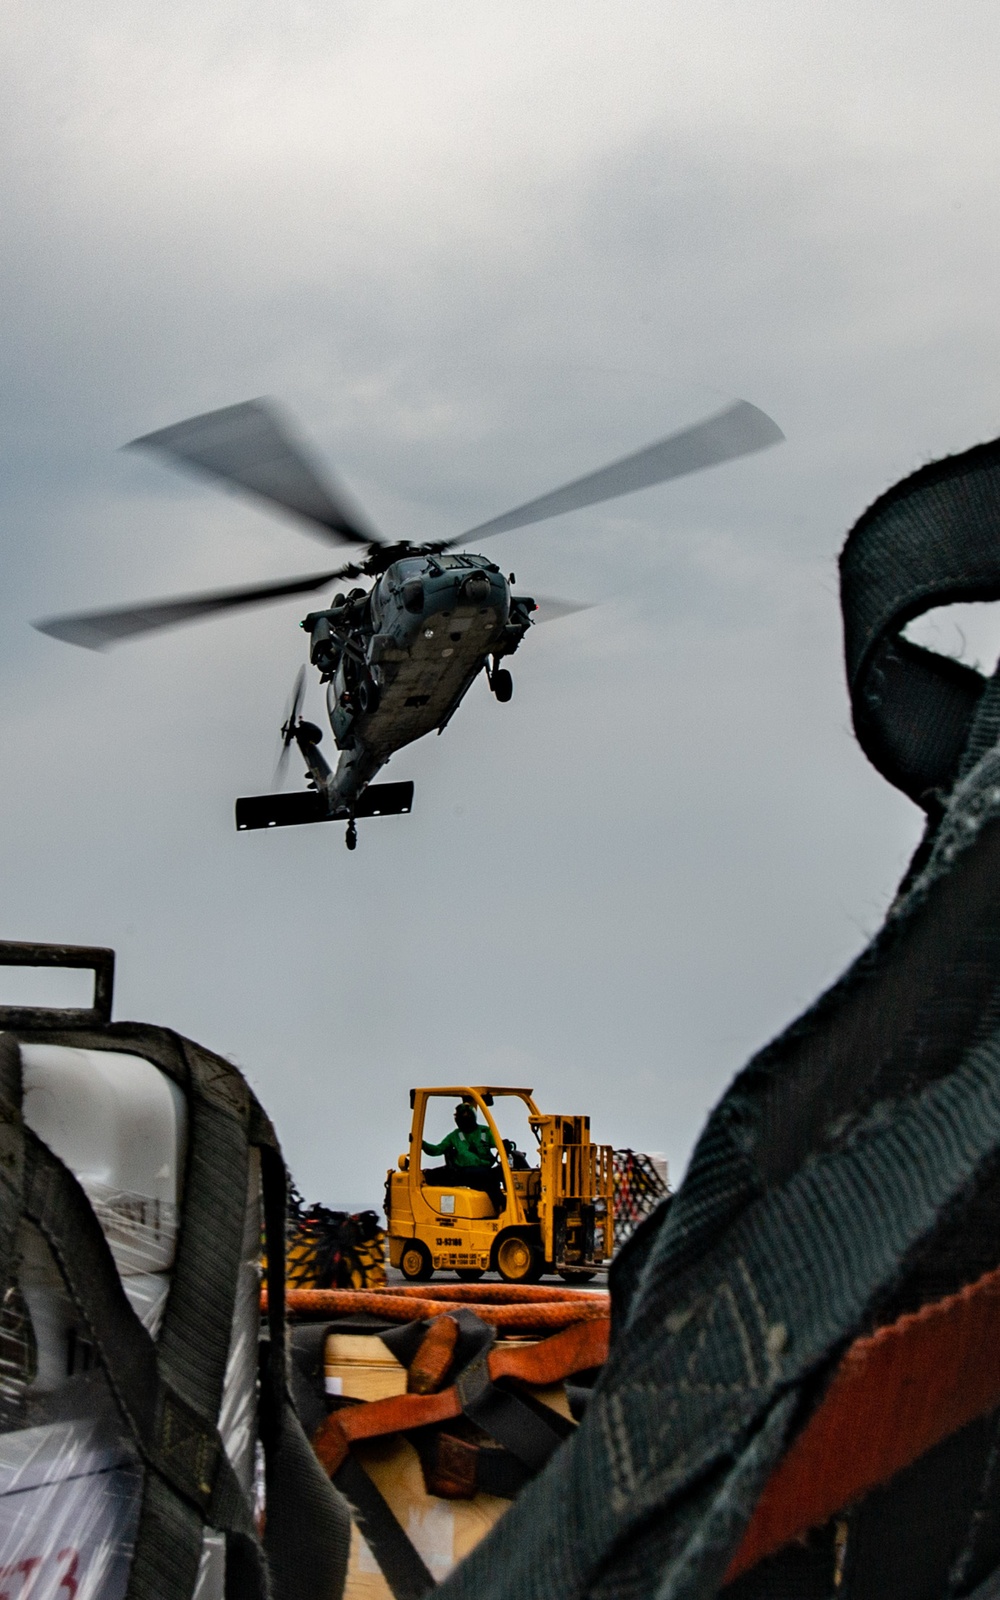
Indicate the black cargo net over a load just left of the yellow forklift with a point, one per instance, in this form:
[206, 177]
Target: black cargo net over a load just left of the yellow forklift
[334, 1250]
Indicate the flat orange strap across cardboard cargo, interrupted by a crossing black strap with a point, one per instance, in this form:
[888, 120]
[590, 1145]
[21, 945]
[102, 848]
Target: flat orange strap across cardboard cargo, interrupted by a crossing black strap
[548, 1362]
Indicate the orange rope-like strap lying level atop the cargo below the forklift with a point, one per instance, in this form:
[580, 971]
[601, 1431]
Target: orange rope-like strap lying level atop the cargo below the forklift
[399, 1306]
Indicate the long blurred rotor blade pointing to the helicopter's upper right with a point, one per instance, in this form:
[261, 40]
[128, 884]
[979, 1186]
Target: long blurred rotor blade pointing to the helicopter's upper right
[738, 431]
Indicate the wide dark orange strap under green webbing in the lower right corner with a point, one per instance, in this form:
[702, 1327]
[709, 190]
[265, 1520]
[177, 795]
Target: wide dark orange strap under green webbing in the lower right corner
[895, 1394]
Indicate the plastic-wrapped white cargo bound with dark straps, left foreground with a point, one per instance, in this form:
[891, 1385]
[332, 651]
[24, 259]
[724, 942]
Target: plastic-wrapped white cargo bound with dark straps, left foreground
[138, 1177]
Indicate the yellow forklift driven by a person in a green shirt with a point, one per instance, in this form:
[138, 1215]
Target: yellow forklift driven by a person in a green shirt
[554, 1217]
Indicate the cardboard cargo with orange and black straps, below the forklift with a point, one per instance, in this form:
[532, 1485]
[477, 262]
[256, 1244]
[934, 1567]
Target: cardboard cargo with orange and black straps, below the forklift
[431, 1409]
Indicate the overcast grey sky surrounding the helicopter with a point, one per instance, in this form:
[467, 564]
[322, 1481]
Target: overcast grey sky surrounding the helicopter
[479, 249]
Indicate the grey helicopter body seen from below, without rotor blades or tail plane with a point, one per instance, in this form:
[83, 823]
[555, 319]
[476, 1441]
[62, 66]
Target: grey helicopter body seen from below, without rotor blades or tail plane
[399, 658]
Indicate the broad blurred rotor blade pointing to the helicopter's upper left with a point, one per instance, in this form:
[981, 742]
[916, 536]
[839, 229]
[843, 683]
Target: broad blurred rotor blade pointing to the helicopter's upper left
[250, 444]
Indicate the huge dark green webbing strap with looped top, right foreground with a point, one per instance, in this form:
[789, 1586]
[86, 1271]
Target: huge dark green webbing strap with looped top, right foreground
[850, 1174]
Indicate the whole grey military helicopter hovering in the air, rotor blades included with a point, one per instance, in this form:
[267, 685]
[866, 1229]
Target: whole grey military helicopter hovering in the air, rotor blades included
[398, 658]
